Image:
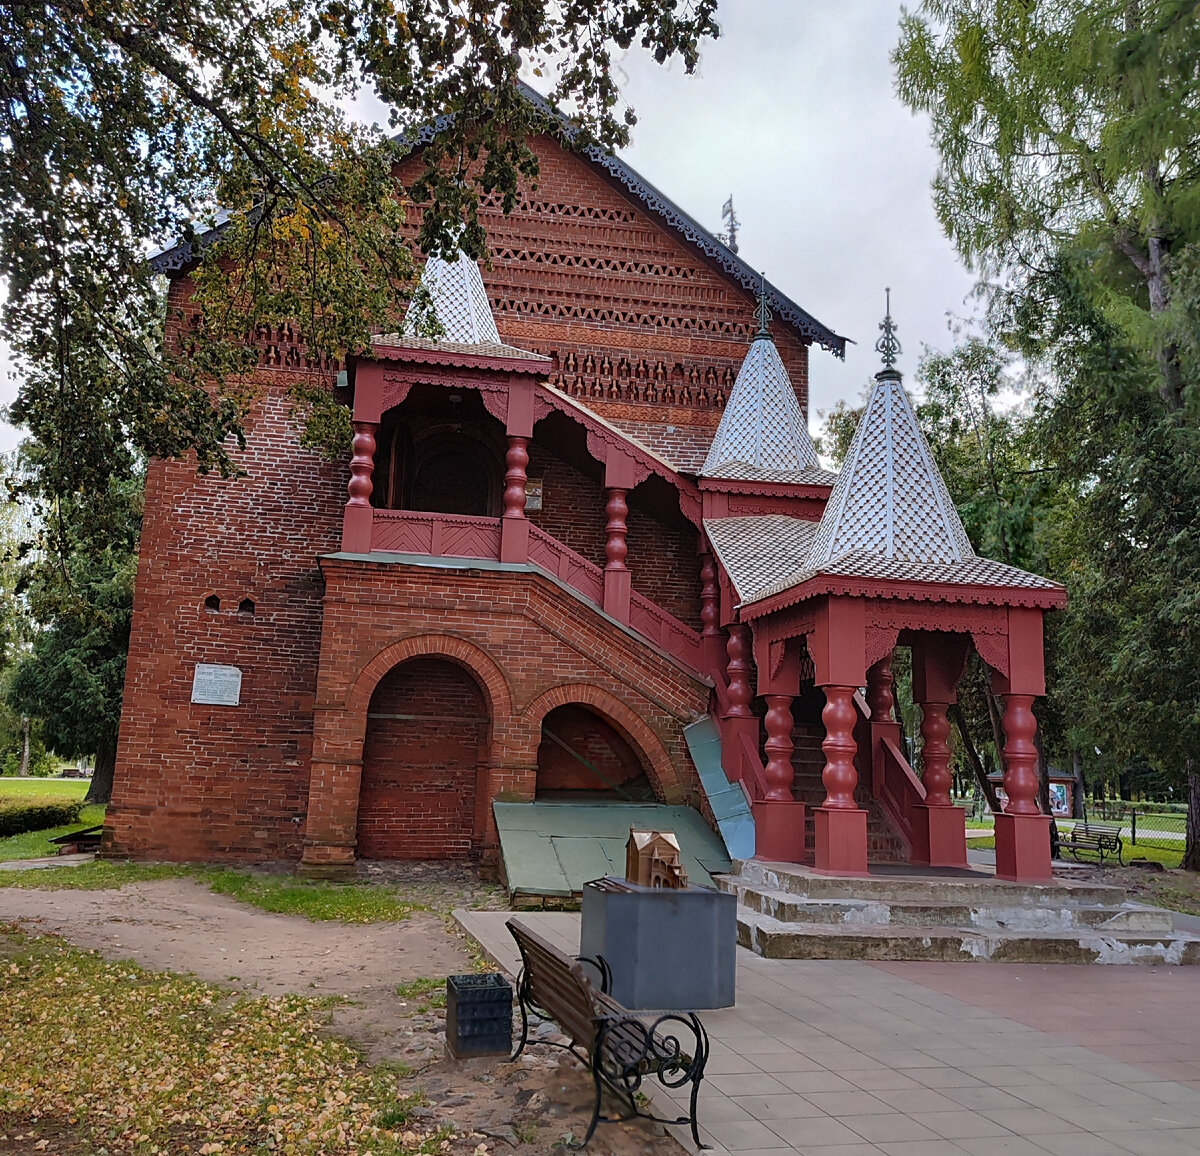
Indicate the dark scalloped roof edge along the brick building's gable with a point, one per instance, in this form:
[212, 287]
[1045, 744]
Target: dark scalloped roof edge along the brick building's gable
[178, 257]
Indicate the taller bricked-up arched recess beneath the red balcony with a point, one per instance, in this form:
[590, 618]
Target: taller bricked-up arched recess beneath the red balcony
[425, 748]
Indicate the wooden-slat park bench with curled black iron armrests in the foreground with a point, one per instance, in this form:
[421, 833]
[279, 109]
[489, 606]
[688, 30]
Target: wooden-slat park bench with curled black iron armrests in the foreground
[617, 1046]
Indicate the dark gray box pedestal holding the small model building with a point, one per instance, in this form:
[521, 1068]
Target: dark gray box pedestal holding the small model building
[668, 949]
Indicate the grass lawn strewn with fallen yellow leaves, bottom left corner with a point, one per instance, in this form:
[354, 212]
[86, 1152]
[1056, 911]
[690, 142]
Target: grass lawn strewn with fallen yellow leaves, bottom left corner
[106, 1057]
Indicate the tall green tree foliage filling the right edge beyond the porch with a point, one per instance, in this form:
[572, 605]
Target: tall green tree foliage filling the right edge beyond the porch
[1070, 142]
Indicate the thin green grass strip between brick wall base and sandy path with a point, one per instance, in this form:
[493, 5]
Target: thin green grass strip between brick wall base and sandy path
[286, 895]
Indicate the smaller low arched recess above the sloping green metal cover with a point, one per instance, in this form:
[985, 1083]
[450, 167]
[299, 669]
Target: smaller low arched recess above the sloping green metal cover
[583, 756]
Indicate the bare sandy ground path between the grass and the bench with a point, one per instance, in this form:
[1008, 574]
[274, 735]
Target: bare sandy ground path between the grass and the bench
[179, 926]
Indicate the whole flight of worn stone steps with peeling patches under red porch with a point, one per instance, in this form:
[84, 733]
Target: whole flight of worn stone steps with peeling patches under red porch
[790, 913]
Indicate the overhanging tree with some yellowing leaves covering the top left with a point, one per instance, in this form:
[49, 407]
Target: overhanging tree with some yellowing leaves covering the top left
[127, 124]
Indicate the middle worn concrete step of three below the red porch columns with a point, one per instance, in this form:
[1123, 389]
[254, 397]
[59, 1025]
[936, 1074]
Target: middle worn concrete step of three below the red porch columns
[789, 908]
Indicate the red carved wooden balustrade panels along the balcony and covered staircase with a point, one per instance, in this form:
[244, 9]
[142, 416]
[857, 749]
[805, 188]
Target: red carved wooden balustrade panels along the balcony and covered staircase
[459, 536]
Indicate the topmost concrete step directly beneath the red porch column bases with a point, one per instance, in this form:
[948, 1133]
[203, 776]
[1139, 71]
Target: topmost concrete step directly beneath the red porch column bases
[971, 888]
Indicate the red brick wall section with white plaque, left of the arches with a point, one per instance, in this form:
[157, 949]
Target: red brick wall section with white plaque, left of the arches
[206, 782]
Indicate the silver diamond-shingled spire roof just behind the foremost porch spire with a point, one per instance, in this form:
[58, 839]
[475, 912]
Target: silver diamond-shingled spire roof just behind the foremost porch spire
[764, 427]
